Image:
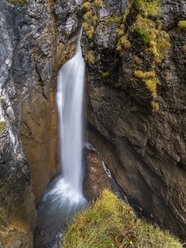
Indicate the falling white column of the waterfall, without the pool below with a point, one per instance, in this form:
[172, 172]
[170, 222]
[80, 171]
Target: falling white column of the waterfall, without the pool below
[69, 99]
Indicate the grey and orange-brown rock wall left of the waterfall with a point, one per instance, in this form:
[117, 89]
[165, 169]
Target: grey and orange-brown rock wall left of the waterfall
[32, 48]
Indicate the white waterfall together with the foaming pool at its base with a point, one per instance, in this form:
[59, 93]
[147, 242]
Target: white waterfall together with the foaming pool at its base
[64, 195]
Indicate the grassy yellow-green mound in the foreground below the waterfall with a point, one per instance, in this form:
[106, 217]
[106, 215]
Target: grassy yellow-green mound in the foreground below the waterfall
[110, 222]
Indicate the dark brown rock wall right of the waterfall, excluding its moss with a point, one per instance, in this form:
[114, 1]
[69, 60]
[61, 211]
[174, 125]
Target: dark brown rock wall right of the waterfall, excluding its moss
[144, 148]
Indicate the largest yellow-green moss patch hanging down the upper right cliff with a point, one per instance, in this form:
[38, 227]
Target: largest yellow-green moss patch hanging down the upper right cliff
[145, 31]
